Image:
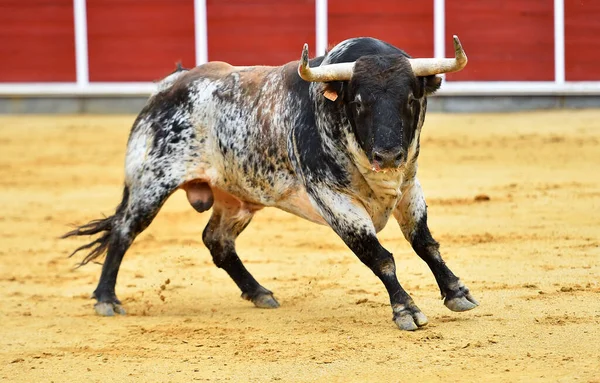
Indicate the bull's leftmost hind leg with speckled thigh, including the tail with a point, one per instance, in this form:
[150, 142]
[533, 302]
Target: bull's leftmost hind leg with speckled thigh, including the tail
[161, 149]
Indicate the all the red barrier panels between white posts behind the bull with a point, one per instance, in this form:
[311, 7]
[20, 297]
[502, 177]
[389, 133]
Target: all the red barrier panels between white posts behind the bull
[141, 40]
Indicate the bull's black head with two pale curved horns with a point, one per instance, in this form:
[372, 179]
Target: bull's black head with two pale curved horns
[383, 97]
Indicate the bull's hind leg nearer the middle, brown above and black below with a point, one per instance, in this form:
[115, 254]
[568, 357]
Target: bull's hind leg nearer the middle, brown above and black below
[225, 224]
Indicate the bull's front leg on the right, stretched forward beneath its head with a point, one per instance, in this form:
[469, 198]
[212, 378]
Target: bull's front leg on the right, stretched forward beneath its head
[411, 213]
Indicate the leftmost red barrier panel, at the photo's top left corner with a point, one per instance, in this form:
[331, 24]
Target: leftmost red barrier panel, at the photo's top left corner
[37, 41]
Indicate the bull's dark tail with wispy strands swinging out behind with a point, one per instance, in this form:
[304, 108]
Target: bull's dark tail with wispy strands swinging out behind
[104, 227]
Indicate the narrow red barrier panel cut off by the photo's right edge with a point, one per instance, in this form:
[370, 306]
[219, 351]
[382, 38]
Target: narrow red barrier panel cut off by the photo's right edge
[582, 40]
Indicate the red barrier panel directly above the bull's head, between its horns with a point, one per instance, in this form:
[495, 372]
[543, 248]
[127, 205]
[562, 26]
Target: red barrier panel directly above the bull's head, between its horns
[403, 23]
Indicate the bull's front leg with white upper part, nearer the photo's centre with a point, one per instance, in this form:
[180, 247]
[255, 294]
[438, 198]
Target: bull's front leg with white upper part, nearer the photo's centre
[351, 222]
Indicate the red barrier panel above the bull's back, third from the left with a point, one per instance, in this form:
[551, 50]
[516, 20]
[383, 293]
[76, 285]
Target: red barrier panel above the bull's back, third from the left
[267, 32]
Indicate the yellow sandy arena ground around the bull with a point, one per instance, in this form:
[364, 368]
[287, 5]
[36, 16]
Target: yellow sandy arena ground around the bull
[514, 200]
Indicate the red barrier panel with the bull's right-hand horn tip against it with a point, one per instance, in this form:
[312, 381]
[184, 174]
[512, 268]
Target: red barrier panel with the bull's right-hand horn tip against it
[505, 40]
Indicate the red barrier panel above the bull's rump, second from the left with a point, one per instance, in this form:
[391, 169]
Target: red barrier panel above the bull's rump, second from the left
[131, 40]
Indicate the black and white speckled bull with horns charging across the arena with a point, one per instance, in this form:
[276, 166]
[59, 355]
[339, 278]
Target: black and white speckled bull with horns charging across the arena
[334, 140]
